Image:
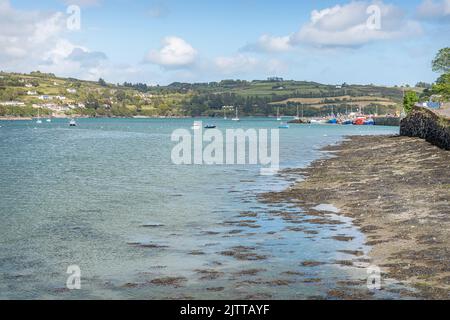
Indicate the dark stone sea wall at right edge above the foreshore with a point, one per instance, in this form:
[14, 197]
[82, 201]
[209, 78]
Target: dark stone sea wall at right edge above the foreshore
[426, 124]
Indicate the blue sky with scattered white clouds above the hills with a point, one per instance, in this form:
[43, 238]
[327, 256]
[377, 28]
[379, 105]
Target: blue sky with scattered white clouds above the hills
[389, 42]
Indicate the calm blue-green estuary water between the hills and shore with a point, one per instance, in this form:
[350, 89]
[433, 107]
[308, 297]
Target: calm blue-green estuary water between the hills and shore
[106, 197]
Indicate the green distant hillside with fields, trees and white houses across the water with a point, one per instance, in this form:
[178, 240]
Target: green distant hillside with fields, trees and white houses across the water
[24, 94]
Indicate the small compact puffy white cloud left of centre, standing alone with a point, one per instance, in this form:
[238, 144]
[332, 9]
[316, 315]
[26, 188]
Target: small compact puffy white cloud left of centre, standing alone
[175, 52]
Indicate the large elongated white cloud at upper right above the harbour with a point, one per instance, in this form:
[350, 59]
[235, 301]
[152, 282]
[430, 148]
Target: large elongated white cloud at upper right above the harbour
[347, 25]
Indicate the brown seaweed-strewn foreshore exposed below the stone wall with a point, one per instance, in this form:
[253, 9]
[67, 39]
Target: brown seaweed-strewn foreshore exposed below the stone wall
[397, 190]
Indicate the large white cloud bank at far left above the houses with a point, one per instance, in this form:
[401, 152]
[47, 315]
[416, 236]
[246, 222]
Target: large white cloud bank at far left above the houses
[33, 40]
